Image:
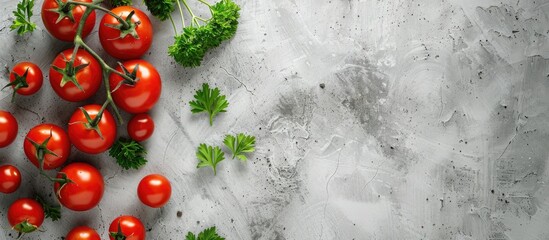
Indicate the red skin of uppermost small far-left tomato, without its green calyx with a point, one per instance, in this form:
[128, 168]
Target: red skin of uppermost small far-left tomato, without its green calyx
[34, 79]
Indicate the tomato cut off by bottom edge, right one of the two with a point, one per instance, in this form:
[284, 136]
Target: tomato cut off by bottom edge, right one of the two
[130, 228]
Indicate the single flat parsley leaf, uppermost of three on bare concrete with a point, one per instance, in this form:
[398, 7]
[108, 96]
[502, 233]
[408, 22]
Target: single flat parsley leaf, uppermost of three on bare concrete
[210, 101]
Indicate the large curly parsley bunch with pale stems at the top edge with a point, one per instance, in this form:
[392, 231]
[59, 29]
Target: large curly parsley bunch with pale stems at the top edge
[201, 35]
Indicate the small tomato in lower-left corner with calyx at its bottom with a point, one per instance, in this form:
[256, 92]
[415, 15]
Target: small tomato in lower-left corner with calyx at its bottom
[25, 215]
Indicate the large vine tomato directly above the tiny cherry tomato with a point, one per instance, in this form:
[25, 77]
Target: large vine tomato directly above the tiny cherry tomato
[141, 96]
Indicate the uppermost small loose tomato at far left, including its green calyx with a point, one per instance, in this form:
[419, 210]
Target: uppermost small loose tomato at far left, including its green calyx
[26, 84]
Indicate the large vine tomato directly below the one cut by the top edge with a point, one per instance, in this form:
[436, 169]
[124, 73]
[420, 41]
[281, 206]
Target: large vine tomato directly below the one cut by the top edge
[89, 77]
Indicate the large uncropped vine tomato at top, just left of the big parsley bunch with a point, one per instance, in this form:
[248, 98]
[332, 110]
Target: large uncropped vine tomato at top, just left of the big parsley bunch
[123, 44]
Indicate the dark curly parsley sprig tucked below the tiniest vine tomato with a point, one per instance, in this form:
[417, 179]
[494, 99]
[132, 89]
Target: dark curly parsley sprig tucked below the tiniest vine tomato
[128, 153]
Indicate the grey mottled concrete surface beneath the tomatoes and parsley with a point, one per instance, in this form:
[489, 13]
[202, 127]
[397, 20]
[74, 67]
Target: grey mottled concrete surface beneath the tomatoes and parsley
[432, 124]
